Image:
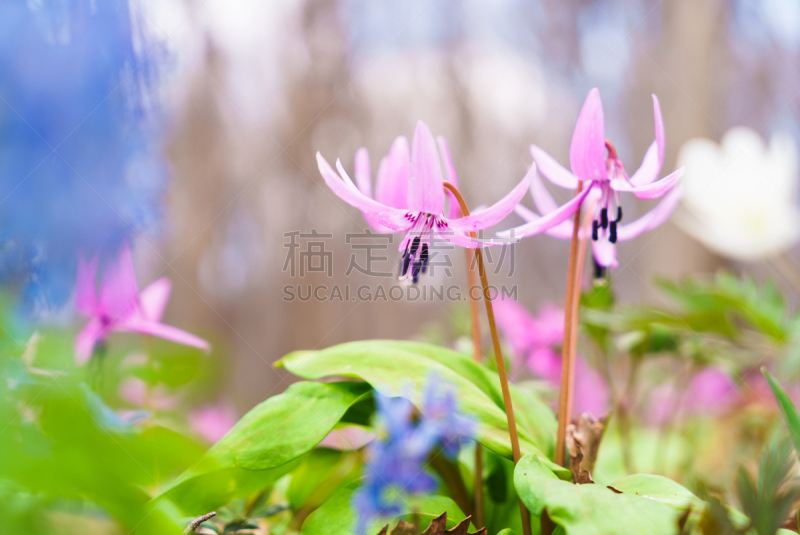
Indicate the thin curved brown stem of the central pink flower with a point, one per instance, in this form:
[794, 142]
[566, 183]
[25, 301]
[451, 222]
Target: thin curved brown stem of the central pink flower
[498, 353]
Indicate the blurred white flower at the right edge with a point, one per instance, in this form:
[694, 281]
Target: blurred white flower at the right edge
[741, 196]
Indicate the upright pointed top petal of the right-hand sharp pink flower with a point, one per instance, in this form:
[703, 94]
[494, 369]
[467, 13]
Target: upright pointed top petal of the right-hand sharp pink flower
[587, 152]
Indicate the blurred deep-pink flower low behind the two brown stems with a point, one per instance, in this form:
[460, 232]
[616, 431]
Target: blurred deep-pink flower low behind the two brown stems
[537, 339]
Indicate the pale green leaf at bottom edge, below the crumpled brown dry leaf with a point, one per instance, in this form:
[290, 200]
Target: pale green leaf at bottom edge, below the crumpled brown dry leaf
[590, 509]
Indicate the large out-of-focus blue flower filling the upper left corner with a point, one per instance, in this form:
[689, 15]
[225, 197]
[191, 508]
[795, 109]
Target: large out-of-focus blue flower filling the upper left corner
[80, 166]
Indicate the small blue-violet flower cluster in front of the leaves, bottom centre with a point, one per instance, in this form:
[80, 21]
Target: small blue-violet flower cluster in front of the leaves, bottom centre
[397, 458]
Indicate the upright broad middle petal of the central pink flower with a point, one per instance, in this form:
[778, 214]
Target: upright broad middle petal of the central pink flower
[425, 190]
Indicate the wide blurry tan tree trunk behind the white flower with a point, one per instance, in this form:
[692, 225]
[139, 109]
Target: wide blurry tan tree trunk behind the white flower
[687, 71]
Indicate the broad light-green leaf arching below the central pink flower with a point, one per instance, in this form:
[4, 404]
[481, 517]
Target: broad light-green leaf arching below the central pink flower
[397, 370]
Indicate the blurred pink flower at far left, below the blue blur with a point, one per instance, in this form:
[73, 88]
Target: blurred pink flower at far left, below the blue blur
[120, 306]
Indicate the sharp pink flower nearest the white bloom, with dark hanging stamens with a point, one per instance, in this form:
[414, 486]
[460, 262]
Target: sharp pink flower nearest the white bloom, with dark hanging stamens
[594, 163]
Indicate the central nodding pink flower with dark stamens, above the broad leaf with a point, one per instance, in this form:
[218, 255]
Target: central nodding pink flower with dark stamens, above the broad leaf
[423, 218]
